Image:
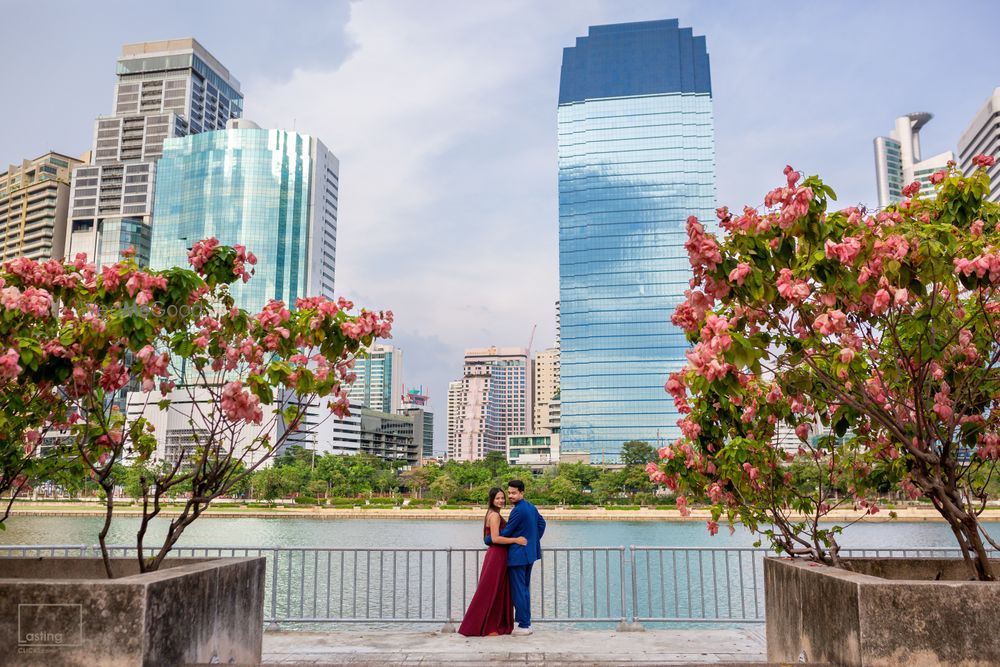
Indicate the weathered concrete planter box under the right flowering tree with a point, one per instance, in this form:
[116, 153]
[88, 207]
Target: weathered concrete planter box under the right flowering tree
[886, 612]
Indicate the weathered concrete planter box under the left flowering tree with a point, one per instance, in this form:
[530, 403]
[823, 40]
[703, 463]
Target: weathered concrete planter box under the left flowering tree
[64, 611]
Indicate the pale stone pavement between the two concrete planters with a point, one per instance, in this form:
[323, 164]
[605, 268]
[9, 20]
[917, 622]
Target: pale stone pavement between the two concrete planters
[549, 646]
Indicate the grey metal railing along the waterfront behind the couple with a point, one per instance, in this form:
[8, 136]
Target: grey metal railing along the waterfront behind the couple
[582, 585]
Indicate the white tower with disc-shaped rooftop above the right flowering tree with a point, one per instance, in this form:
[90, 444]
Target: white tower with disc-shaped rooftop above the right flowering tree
[898, 159]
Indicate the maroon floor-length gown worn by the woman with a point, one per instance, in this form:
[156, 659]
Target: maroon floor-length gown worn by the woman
[491, 610]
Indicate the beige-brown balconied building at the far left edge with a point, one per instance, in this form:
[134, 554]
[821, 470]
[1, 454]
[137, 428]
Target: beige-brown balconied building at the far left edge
[34, 206]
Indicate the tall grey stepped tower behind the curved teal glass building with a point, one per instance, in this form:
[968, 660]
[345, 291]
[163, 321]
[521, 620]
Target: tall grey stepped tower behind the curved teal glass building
[165, 89]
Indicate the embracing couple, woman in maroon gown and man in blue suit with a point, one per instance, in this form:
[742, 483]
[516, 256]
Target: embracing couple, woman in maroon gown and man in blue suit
[514, 546]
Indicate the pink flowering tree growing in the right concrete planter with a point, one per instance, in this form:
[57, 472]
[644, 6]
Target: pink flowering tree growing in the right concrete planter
[873, 337]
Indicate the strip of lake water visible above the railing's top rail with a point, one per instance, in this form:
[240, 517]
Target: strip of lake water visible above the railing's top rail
[383, 533]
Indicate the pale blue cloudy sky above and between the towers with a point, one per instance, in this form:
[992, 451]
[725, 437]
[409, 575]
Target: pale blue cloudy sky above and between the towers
[443, 116]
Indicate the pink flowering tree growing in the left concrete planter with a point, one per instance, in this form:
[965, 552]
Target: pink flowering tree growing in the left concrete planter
[109, 354]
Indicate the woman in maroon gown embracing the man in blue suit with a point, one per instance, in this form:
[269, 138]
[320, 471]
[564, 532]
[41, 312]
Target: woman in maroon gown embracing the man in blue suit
[491, 611]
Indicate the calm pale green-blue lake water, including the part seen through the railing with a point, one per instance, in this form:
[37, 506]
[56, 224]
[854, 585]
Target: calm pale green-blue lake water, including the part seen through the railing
[386, 589]
